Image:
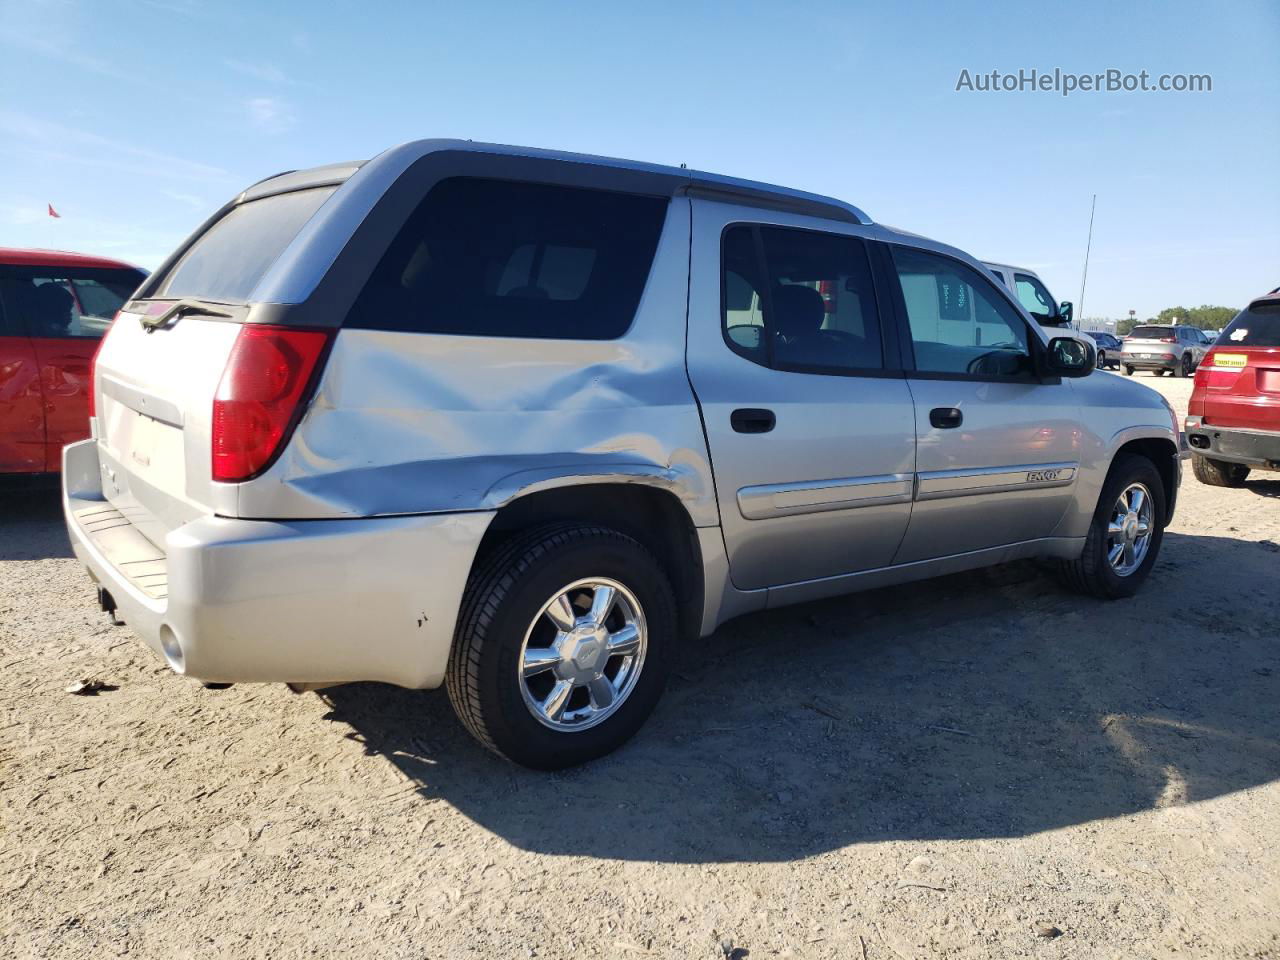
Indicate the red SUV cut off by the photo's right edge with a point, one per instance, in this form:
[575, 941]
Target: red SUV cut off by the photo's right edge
[1233, 423]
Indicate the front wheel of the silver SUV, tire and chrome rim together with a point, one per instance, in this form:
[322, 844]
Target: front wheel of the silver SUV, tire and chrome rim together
[1126, 534]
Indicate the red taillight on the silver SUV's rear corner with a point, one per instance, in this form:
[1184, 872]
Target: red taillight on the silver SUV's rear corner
[264, 388]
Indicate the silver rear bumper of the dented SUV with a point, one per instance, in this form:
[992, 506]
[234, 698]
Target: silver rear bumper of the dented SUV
[309, 602]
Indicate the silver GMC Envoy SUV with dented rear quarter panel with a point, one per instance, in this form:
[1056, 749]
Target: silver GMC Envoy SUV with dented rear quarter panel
[520, 423]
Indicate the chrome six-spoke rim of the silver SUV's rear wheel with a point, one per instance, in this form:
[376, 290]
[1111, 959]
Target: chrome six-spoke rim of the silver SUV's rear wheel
[583, 655]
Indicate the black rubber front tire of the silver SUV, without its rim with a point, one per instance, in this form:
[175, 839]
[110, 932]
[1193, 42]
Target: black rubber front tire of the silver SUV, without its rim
[1095, 573]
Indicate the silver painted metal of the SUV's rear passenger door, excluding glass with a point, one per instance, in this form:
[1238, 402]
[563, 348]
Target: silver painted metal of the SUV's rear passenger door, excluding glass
[828, 427]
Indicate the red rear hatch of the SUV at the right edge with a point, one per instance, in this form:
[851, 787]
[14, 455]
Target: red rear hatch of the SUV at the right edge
[1238, 386]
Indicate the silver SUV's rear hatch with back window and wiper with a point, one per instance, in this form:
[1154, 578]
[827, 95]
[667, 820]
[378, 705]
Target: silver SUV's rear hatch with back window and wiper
[161, 367]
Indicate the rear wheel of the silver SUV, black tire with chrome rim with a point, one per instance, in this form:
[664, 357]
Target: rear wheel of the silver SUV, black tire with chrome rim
[563, 646]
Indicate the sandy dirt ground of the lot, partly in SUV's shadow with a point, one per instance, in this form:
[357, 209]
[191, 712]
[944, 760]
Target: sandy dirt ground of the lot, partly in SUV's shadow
[926, 771]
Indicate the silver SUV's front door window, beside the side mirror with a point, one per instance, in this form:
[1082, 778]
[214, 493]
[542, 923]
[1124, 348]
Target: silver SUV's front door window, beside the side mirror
[961, 323]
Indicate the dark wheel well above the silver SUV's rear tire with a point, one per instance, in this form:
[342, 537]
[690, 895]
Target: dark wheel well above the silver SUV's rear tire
[653, 518]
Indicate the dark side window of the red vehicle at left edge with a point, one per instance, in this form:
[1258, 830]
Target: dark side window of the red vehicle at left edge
[66, 304]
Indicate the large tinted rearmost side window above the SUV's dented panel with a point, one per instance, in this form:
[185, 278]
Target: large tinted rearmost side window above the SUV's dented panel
[506, 259]
